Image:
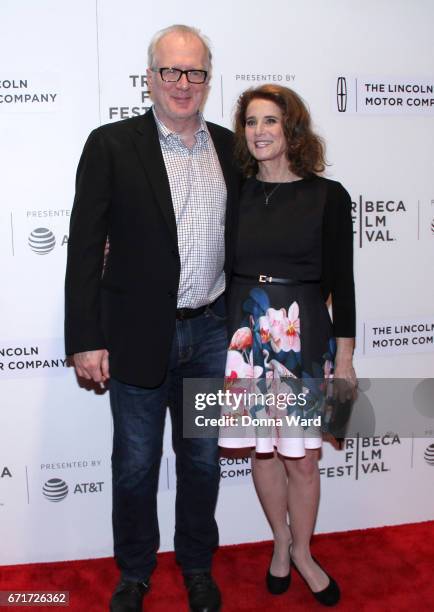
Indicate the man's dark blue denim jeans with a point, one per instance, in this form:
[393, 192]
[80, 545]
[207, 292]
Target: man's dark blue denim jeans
[198, 351]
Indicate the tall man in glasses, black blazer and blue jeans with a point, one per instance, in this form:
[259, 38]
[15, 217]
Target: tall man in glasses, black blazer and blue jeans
[161, 187]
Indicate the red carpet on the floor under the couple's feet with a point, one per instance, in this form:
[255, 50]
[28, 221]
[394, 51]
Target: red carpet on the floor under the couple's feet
[390, 568]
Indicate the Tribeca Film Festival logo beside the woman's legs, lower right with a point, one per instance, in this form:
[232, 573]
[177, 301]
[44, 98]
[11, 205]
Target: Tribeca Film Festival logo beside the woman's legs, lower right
[363, 456]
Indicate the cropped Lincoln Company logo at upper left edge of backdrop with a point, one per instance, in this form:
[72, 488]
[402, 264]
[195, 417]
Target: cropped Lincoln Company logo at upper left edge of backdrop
[33, 93]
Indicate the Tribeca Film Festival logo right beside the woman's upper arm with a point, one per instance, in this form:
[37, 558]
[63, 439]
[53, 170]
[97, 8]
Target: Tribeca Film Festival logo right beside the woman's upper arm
[371, 219]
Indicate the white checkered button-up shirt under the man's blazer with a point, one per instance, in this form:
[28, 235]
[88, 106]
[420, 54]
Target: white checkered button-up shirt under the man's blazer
[199, 200]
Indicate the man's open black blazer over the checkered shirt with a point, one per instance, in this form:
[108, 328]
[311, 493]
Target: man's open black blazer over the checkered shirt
[122, 191]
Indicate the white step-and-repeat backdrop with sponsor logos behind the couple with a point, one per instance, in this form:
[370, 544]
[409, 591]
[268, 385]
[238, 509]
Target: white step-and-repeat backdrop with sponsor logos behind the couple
[365, 70]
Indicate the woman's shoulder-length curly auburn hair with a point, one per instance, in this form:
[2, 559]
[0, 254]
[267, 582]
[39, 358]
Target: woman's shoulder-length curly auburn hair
[305, 150]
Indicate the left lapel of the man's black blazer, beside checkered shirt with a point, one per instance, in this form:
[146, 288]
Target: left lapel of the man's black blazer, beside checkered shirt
[145, 136]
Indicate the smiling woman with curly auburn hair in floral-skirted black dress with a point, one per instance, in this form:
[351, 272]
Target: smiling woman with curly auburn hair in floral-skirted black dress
[294, 250]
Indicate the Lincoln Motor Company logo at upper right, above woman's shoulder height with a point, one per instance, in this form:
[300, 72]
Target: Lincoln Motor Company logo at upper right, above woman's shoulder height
[378, 95]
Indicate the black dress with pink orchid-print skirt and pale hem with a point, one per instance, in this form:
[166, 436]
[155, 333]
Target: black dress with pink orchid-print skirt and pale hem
[283, 333]
